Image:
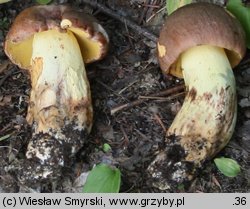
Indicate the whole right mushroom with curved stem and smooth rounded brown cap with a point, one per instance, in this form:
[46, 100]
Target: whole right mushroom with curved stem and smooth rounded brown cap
[201, 43]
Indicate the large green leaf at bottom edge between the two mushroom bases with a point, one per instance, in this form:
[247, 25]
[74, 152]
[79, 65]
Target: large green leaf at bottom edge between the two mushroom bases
[103, 179]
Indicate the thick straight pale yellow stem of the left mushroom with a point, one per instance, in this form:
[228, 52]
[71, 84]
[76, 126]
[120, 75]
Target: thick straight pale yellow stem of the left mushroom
[60, 101]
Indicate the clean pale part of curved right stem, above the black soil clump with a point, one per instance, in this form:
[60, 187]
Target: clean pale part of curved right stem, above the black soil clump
[207, 118]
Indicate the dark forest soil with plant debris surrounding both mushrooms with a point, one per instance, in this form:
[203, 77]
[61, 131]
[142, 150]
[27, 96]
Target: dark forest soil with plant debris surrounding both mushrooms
[136, 133]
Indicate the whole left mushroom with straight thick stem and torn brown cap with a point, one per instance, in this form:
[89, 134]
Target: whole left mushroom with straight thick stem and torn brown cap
[53, 43]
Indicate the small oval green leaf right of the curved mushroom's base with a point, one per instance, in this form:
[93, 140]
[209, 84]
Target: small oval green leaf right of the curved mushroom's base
[227, 166]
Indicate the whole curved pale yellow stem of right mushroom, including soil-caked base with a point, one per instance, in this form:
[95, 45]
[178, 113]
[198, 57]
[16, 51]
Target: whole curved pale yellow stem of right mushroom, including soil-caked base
[206, 121]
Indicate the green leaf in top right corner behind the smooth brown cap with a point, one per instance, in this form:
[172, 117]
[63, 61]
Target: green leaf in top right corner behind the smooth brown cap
[242, 13]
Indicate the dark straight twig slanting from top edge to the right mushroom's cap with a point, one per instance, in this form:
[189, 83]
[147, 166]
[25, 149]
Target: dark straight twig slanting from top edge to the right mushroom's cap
[123, 19]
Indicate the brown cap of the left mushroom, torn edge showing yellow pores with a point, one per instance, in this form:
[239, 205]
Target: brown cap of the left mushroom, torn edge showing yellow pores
[91, 37]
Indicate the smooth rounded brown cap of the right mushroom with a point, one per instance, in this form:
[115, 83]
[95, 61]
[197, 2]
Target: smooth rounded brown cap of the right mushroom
[199, 24]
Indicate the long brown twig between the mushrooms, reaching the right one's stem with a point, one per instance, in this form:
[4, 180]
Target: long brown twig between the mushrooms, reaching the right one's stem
[139, 101]
